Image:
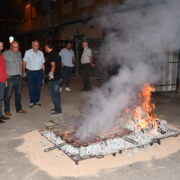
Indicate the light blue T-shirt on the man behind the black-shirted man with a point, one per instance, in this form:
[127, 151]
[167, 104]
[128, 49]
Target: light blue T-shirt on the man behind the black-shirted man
[67, 57]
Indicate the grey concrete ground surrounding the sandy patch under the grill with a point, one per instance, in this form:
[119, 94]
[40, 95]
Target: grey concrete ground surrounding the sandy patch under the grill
[16, 166]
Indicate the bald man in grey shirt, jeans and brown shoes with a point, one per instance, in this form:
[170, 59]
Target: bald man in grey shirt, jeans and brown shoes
[13, 61]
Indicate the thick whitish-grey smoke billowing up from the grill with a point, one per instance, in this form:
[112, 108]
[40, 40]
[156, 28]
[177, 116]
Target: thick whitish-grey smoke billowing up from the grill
[136, 40]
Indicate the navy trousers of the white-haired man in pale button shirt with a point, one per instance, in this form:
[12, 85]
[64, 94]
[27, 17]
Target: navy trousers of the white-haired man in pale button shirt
[35, 82]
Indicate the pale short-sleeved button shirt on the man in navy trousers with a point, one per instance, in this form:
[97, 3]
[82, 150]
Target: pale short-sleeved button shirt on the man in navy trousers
[34, 60]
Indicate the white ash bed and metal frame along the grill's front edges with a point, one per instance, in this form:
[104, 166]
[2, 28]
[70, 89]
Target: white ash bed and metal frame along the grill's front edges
[104, 146]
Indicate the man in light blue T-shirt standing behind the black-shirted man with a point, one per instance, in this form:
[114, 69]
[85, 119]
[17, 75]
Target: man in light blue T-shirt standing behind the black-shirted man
[68, 61]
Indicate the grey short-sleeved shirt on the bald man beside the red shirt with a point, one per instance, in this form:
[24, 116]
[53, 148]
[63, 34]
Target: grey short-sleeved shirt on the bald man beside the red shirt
[13, 62]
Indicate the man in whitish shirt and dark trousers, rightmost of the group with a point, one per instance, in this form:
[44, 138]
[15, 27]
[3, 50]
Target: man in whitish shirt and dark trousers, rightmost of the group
[86, 64]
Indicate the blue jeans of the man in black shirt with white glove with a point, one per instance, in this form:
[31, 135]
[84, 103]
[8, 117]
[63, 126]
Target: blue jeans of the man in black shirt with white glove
[54, 87]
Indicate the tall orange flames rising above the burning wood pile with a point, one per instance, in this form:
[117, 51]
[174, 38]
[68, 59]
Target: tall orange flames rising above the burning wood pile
[143, 113]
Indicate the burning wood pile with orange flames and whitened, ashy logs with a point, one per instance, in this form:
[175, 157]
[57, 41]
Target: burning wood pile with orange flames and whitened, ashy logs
[141, 117]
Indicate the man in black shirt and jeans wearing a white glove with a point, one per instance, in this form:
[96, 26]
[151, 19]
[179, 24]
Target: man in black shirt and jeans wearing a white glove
[53, 76]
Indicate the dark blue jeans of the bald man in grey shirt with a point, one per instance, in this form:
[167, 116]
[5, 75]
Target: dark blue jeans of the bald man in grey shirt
[14, 83]
